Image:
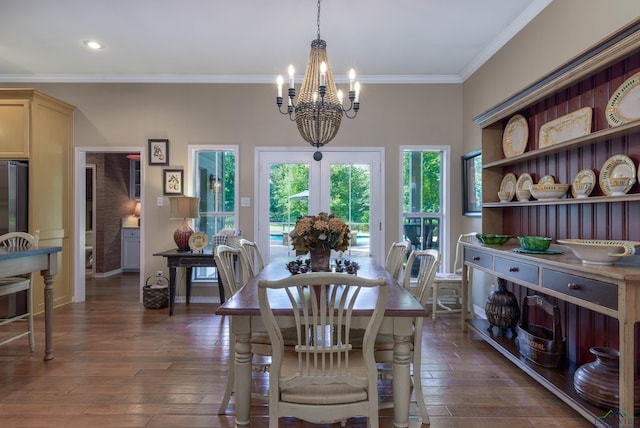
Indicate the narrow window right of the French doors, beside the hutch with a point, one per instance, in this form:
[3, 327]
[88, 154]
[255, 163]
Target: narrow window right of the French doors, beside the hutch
[423, 201]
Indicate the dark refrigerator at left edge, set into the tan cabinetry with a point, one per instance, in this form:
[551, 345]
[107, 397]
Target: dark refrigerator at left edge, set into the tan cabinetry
[14, 196]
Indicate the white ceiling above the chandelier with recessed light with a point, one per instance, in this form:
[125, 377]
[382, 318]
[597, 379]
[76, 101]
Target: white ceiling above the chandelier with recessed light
[252, 41]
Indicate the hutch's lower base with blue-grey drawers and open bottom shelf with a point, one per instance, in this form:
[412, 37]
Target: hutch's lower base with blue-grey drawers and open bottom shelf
[609, 290]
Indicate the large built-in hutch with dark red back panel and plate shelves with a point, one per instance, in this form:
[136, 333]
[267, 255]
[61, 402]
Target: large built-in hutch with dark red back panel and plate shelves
[603, 309]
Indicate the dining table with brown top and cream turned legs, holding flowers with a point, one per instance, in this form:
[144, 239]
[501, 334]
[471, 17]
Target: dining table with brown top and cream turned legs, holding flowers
[400, 312]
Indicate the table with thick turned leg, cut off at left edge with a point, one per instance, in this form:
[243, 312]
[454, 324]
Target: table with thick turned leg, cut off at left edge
[19, 261]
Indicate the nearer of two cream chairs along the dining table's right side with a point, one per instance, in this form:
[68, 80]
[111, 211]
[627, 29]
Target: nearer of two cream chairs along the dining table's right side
[427, 262]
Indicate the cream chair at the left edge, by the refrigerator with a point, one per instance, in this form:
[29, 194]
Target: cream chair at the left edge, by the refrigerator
[16, 284]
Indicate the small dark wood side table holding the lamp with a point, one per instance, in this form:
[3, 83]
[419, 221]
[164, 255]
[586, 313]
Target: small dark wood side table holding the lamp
[188, 260]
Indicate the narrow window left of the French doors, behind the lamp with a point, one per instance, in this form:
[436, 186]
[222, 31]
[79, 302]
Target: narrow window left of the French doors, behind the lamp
[215, 171]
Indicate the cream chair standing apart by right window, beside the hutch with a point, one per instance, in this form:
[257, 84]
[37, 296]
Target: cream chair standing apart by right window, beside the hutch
[447, 286]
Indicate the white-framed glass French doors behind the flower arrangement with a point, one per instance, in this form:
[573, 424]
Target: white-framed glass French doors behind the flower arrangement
[345, 182]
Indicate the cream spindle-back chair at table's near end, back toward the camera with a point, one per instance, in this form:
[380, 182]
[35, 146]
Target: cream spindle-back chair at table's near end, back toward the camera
[323, 379]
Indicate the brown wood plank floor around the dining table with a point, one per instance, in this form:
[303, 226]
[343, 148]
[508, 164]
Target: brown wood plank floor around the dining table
[118, 364]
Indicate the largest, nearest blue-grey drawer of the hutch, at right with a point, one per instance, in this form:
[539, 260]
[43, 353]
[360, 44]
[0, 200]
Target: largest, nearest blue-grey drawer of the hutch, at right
[600, 293]
